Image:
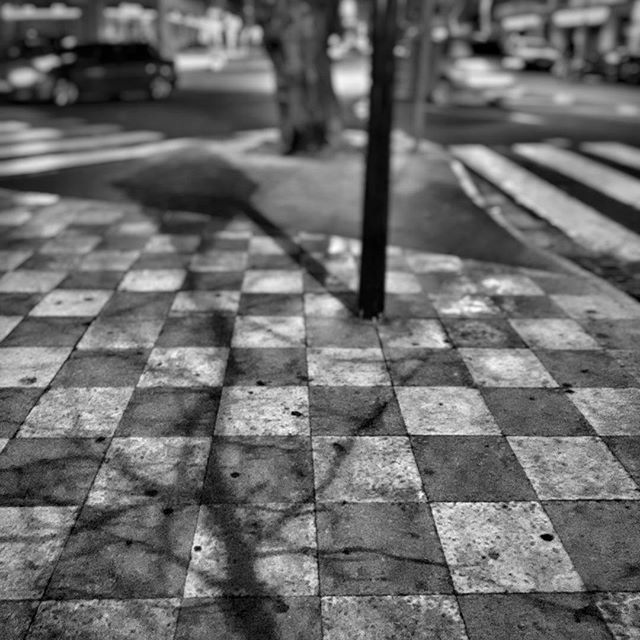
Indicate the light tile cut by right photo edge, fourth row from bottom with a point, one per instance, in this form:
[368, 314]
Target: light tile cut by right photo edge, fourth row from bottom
[611, 412]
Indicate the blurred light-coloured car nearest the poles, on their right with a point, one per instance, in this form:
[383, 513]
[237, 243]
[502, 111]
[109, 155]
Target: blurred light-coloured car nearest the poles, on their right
[472, 72]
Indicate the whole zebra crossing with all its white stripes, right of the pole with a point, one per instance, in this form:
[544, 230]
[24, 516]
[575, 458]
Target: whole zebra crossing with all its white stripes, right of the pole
[607, 169]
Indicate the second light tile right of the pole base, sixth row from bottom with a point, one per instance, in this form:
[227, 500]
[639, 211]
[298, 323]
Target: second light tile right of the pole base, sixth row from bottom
[553, 333]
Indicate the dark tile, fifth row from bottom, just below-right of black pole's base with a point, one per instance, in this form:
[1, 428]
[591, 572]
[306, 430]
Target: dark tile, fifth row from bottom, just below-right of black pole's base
[427, 368]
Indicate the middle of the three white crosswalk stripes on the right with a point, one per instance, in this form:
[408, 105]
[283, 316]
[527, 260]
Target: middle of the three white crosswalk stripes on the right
[611, 182]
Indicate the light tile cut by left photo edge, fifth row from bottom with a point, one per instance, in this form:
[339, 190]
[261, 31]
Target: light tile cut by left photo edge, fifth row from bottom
[30, 366]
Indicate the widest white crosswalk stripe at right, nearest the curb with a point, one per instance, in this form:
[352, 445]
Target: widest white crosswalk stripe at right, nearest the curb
[575, 219]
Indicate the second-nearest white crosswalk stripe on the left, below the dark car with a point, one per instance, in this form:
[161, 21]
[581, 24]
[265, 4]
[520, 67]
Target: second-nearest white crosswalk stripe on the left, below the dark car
[22, 149]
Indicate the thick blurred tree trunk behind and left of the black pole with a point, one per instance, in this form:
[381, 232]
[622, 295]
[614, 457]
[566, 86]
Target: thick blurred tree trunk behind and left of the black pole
[295, 37]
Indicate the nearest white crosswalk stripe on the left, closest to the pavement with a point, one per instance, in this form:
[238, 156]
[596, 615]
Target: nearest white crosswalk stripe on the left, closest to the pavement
[55, 162]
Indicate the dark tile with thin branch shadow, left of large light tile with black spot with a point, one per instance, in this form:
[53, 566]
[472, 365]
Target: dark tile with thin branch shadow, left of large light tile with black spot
[379, 549]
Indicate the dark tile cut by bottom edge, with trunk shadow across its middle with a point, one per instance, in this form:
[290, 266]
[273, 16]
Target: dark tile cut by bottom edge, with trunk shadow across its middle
[291, 618]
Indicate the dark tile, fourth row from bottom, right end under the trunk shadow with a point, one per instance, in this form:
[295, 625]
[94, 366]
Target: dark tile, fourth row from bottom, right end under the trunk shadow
[156, 412]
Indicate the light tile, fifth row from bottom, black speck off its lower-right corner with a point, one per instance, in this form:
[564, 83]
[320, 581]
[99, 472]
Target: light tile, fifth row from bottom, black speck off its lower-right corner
[506, 368]
